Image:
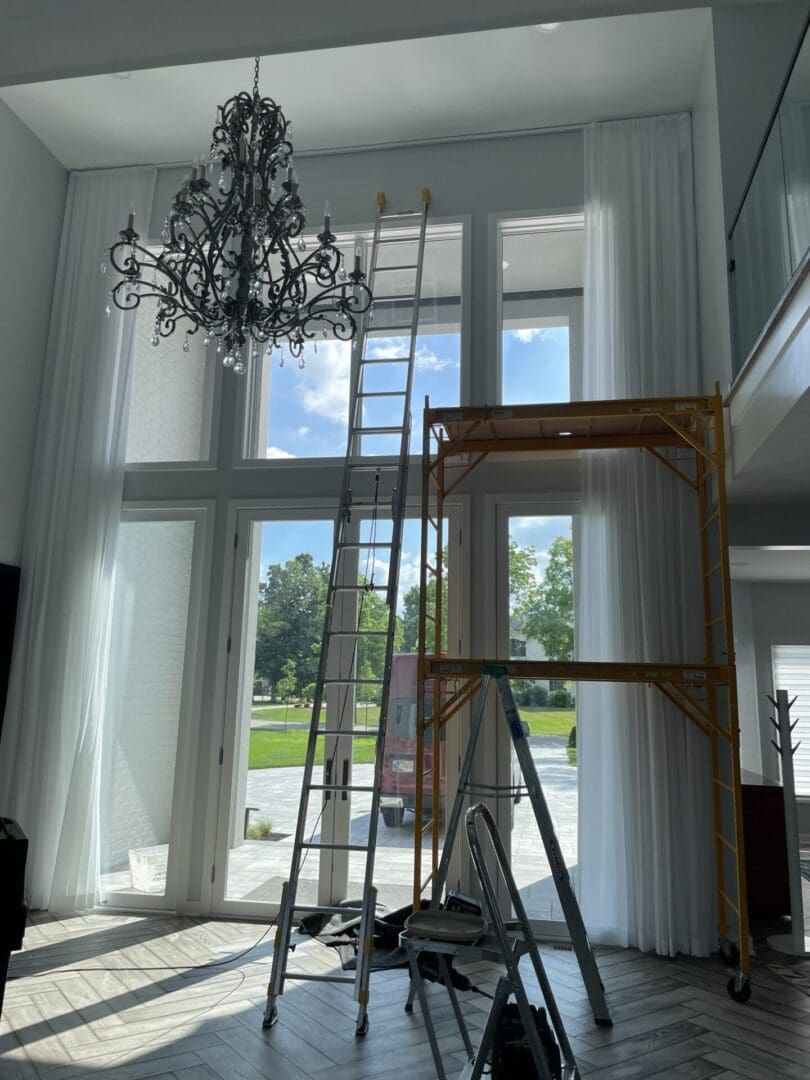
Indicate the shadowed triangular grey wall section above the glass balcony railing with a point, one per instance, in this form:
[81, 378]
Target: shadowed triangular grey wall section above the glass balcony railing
[753, 50]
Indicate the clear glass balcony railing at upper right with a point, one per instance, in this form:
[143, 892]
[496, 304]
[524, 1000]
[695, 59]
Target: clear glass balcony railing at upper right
[771, 238]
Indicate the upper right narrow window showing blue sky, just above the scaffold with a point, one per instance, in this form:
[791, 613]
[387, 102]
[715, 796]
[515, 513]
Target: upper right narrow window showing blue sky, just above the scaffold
[542, 309]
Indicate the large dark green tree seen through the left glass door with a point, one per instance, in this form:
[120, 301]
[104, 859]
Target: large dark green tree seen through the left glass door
[290, 620]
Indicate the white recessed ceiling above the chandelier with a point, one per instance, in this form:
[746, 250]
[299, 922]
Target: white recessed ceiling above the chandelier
[389, 92]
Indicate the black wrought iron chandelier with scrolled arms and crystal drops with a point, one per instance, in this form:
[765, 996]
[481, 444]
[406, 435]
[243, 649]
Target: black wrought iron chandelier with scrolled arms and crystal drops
[235, 264]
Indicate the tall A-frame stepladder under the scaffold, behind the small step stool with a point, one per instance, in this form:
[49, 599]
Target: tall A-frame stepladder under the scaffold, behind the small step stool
[518, 731]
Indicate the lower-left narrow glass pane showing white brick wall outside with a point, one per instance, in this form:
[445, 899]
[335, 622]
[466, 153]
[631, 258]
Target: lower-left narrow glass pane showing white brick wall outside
[144, 703]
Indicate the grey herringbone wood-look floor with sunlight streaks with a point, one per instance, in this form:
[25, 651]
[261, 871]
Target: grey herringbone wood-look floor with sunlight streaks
[672, 1018]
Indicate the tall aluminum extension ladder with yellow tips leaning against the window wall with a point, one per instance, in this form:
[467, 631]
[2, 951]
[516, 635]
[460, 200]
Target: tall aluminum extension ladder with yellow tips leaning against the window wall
[373, 501]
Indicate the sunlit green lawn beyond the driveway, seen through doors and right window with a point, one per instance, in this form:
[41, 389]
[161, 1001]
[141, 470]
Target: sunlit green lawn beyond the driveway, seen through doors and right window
[273, 750]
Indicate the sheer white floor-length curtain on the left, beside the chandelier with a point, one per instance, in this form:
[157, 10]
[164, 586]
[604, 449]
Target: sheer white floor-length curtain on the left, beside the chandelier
[51, 742]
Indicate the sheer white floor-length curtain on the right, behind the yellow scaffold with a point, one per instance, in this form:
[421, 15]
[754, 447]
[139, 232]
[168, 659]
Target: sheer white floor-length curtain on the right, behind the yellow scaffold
[645, 858]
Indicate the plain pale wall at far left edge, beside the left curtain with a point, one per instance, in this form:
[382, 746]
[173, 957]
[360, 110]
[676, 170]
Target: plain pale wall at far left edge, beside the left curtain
[33, 187]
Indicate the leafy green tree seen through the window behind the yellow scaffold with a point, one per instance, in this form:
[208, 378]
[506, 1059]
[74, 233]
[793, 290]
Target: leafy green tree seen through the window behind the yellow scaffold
[546, 609]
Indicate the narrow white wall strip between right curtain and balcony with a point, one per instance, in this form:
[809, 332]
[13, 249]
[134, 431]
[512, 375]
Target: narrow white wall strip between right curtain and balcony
[715, 335]
